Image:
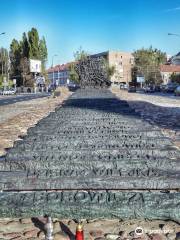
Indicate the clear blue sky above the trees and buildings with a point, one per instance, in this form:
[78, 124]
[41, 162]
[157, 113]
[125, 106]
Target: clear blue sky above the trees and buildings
[96, 25]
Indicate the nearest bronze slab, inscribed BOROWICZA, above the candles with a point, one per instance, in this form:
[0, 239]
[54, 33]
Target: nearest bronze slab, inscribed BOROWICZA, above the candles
[92, 204]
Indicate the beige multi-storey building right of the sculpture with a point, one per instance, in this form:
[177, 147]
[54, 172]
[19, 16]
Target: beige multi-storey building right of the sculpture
[123, 63]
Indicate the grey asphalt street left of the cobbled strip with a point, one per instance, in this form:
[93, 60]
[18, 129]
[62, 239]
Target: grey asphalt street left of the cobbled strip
[6, 100]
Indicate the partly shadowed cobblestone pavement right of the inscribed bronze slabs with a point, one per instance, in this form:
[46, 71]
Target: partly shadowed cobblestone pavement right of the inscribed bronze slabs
[162, 110]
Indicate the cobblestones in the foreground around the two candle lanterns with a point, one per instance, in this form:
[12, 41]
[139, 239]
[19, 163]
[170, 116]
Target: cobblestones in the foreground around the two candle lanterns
[116, 229]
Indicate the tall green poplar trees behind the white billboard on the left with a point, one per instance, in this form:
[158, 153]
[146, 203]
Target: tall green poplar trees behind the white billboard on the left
[30, 47]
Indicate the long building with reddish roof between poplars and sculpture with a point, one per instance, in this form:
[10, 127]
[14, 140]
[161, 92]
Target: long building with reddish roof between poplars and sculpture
[59, 74]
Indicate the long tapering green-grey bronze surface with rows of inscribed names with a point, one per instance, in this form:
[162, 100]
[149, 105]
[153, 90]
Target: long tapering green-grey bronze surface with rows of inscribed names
[95, 157]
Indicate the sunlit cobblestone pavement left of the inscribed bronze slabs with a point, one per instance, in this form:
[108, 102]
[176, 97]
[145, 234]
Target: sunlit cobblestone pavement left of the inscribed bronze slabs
[16, 118]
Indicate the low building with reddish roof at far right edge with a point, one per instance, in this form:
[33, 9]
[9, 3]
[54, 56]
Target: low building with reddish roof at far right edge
[167, 71]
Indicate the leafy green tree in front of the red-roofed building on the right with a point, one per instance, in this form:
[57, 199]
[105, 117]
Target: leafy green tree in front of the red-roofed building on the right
[147, 62]
